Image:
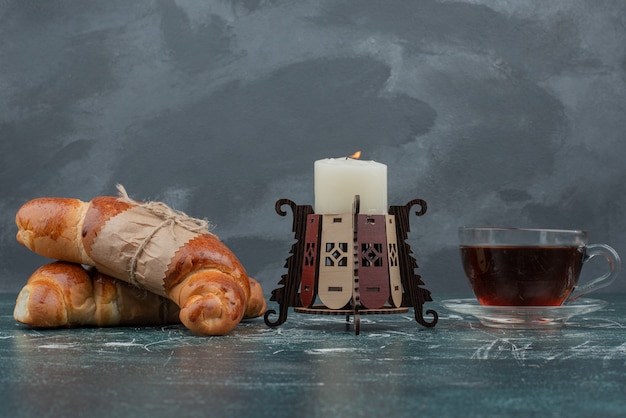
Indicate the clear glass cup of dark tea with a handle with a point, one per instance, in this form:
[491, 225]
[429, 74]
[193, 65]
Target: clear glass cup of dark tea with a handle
[531, 267]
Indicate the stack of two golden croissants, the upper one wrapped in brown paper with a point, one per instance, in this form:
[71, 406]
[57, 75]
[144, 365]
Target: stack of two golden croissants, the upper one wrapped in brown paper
[123, 262]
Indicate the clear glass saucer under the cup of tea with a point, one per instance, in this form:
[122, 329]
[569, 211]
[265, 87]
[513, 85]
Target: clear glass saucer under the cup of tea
[523, 316]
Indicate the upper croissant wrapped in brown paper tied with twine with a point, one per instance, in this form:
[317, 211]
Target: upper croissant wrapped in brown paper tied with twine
[150, 246]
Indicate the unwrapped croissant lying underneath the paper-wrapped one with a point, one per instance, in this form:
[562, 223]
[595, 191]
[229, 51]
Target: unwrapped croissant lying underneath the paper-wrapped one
[63, 294]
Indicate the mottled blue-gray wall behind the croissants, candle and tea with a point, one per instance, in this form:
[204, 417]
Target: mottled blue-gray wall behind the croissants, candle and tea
[495, 112]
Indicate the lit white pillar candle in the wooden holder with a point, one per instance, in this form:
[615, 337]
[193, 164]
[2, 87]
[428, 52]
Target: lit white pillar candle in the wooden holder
[338, 180]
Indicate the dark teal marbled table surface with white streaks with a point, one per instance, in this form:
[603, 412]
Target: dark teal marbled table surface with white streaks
[315, 365]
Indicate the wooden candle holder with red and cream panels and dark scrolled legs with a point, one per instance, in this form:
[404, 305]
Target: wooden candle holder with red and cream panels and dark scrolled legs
[351, 264]
